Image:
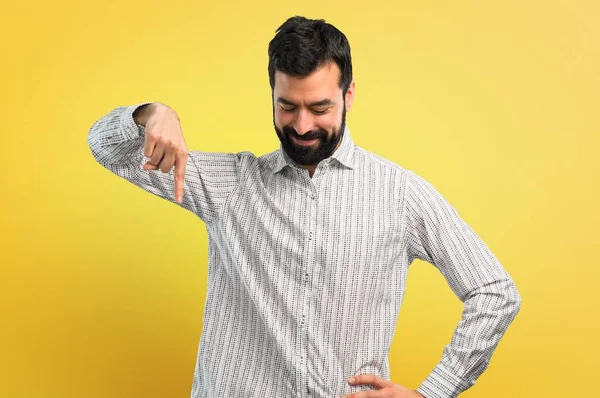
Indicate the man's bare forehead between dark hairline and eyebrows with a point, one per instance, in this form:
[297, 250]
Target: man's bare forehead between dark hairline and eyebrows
[321, 83]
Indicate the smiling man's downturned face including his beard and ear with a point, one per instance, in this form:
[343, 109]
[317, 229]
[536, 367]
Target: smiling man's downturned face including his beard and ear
[309, 113]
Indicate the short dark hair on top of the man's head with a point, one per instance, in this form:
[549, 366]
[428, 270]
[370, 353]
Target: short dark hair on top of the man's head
[303, 45]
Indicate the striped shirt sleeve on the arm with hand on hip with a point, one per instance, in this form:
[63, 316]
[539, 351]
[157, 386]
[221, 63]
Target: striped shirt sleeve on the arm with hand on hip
[438, 235]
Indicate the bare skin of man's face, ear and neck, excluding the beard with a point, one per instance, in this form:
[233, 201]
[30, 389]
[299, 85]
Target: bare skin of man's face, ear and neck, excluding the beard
[310, 103]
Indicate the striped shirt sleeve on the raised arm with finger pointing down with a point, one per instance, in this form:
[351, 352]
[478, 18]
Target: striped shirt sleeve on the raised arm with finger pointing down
[117, 143]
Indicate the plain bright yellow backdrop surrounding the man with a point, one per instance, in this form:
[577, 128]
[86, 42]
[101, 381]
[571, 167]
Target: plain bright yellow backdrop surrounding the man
[495, 103]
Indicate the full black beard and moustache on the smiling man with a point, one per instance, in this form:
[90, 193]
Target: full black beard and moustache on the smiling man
[313, 154]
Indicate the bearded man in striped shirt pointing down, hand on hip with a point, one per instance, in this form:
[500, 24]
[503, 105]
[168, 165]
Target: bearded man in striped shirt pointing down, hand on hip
[309, 245]
